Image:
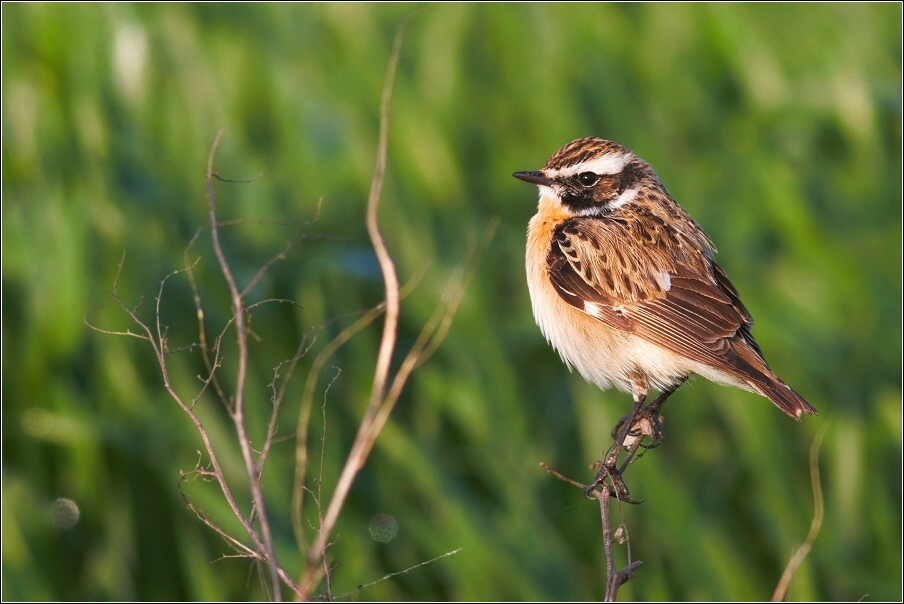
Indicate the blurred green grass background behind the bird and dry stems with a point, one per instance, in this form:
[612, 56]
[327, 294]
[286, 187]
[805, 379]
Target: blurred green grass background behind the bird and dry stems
[778, 127]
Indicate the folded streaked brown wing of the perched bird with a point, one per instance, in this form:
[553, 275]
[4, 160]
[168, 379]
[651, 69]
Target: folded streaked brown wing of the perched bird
[694, 310]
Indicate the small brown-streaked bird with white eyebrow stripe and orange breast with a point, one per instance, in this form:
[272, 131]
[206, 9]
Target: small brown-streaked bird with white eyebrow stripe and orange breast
[624, 286]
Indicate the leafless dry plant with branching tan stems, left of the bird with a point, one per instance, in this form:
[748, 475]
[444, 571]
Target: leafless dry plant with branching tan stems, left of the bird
[385, 392]
